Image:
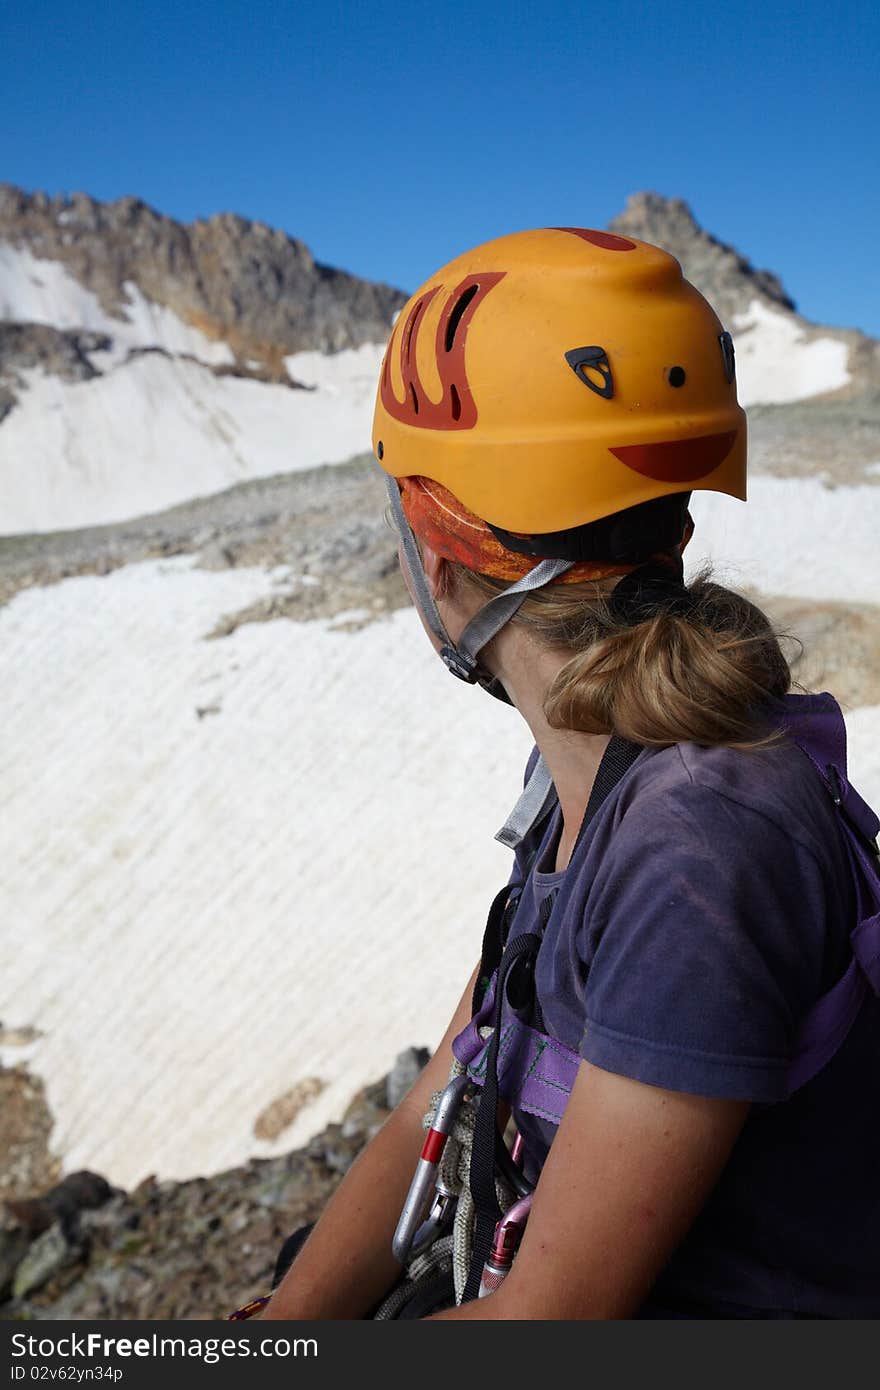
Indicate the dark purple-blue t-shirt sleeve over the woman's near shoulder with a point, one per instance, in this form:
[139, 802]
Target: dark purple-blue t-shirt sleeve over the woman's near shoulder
[714, 913]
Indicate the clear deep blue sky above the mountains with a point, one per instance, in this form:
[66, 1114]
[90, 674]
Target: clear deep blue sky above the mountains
[391, 137]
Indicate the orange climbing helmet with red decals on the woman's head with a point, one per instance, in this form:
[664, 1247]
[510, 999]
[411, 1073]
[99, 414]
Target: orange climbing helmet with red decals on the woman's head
[551, 380]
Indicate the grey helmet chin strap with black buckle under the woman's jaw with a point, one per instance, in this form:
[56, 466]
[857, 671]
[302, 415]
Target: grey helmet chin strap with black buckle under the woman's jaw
[462, 658]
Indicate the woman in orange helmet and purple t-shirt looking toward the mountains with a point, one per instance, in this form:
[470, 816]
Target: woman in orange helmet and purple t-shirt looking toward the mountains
[548, 404]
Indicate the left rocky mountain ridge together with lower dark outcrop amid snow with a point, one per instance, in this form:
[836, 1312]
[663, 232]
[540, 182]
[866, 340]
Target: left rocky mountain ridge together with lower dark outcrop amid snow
[254, 291]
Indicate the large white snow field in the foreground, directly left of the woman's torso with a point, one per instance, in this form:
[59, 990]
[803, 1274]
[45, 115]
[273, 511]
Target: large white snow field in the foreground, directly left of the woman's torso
[201, 913]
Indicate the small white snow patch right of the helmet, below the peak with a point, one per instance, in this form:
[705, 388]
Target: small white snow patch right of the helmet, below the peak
[776, 363]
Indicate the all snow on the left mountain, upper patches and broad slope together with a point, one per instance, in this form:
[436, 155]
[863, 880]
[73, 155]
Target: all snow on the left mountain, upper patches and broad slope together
[158, 430]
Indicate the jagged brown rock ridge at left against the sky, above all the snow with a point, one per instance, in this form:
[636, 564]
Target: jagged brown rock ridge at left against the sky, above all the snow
[241, 281]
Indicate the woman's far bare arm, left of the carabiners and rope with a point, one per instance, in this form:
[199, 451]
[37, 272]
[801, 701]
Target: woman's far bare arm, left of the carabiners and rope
[347, 1266]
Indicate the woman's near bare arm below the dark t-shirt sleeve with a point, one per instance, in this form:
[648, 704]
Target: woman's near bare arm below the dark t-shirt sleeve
[629, 1171]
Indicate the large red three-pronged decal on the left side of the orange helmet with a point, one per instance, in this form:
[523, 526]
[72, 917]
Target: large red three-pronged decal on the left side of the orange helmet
[457, 409]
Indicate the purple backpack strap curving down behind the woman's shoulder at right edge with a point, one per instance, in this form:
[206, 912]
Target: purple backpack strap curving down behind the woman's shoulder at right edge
[822, 736]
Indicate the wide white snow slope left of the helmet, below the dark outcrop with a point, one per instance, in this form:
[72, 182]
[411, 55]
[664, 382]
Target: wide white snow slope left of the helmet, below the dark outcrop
[156, 433]
